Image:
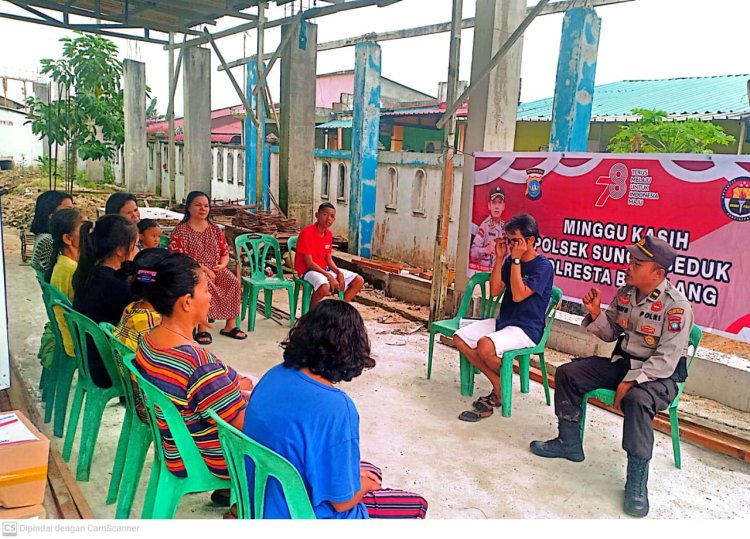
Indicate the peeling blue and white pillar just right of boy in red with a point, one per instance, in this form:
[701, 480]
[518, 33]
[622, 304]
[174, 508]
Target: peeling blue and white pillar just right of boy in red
[365, 135]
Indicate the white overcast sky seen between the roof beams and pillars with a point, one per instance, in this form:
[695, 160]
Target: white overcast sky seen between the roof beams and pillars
[642, 39]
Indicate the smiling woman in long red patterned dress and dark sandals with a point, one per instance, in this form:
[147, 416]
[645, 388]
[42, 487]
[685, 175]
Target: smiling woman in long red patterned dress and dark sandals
[204, 241]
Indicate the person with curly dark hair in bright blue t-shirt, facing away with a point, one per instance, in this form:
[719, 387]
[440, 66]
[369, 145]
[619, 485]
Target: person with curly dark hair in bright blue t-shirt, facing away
[297, 411]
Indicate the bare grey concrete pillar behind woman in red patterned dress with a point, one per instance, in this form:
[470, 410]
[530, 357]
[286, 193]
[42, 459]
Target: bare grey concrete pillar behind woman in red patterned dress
[196, 80]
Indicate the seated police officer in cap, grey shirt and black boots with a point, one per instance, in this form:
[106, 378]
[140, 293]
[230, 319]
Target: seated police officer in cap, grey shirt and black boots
[651, 321]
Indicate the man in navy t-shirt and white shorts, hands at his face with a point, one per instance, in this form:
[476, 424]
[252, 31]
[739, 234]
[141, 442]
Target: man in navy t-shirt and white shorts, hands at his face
[526, 278]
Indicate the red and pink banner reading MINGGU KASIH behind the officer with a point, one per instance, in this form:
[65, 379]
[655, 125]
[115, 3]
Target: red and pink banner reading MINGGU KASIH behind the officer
[590, 206]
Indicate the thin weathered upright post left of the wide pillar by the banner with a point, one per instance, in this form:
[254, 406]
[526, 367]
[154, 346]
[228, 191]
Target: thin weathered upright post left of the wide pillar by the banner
[438, 291]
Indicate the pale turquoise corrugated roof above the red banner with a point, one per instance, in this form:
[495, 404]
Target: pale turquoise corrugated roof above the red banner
[702, 97]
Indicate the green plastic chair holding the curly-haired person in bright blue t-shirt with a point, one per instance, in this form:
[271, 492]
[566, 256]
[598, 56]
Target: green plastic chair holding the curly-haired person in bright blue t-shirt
[238, 448]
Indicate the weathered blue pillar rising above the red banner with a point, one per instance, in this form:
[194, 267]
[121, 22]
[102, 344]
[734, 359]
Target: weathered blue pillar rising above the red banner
[574, 87]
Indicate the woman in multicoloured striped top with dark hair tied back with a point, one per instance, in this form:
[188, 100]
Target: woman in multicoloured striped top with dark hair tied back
[191, 377]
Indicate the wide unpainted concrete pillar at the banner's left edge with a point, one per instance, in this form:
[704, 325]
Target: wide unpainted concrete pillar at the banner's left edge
[493, 106]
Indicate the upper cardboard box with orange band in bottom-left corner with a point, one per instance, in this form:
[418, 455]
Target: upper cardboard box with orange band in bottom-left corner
[23, 464]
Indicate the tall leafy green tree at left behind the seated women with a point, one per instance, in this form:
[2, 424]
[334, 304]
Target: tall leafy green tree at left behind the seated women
[88, 117]
